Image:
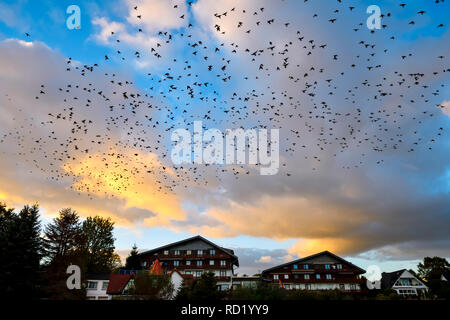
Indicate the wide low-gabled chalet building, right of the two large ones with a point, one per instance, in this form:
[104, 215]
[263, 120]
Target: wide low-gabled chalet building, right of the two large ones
[321, 271]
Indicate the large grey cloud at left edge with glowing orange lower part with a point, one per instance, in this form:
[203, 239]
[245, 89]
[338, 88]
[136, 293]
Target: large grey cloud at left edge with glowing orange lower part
[58, 175]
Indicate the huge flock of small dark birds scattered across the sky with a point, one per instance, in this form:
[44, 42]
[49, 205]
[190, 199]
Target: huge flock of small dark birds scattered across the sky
[326, 102]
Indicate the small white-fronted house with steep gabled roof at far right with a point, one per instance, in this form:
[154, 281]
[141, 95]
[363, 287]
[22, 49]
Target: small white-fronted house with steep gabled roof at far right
[404, 282]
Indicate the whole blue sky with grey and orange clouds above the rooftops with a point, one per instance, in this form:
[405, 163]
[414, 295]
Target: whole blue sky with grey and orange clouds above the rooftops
[87, 115]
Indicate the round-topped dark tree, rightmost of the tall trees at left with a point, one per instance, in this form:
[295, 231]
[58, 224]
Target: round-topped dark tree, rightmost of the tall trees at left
[99, 244]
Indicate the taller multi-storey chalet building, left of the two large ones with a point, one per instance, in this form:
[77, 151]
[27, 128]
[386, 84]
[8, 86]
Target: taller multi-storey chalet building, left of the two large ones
[194, 256]
